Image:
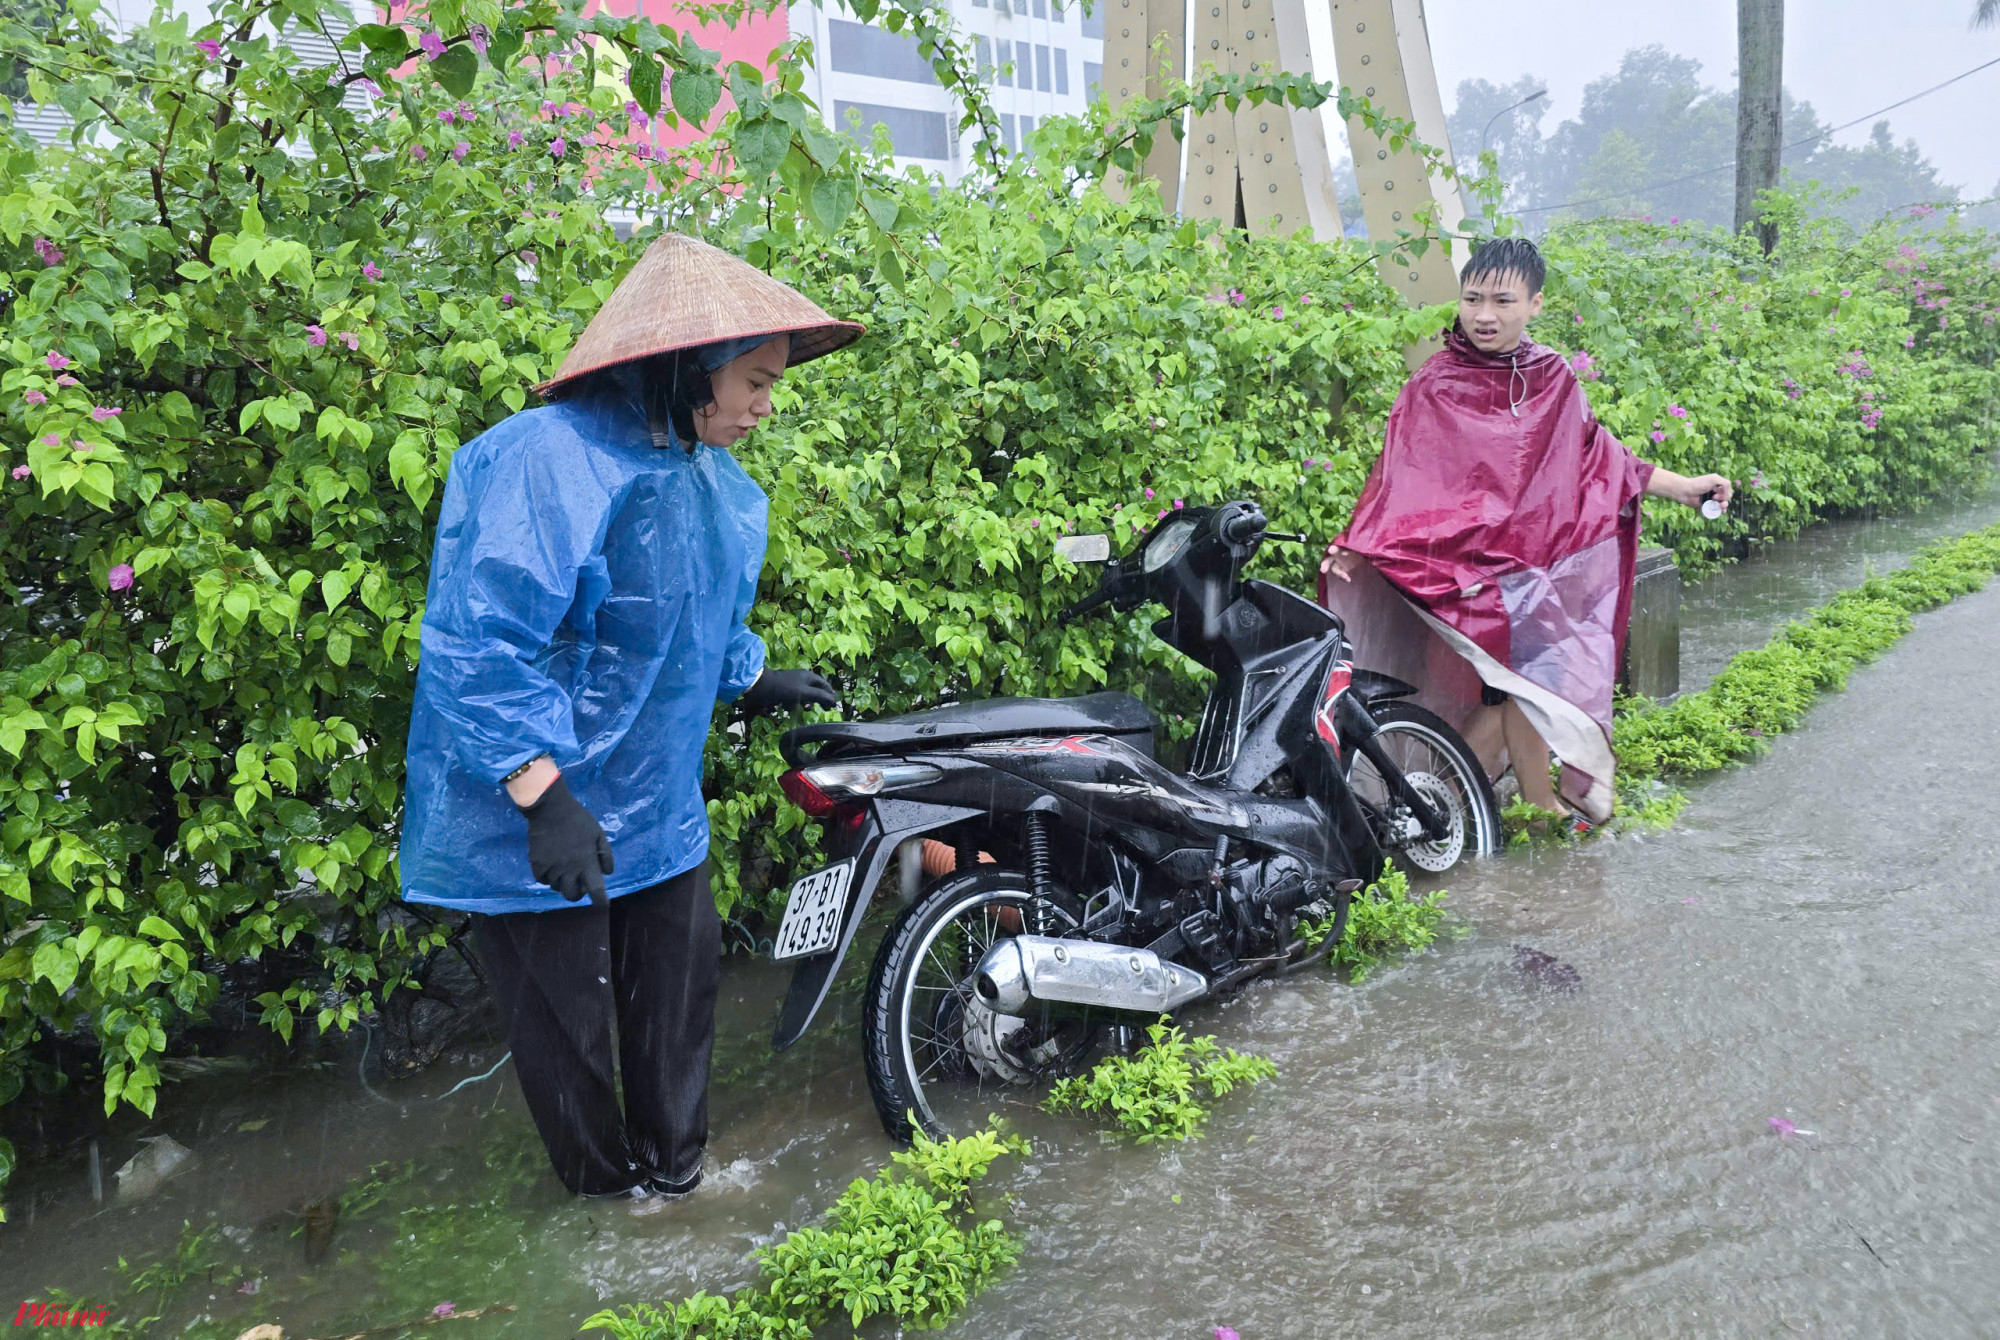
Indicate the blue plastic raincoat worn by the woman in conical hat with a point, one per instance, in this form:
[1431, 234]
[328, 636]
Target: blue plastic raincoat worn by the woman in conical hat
[587, 601]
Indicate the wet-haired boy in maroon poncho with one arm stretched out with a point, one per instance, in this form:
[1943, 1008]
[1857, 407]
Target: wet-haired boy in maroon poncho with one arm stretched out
[1507, 515]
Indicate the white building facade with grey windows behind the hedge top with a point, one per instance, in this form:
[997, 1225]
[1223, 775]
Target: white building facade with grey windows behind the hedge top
[1041, 59]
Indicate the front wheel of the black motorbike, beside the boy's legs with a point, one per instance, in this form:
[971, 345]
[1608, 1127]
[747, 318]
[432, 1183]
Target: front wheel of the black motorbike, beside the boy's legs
[1447, 773]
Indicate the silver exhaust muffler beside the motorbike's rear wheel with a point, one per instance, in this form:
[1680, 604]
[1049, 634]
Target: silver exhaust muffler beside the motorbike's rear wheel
[1025, 971]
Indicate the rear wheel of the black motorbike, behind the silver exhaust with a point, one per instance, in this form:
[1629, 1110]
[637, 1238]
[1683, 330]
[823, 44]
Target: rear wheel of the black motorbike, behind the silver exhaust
[935, 1053]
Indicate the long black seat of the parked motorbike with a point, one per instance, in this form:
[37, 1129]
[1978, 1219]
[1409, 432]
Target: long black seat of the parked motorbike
[987, 719]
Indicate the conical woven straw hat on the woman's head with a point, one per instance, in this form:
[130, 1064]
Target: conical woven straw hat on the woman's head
[685, 293]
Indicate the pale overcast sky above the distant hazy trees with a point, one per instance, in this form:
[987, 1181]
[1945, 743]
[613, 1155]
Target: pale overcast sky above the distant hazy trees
[1843, 57]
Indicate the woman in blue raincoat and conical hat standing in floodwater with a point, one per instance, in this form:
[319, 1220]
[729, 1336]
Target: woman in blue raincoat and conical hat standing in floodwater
[595, 565]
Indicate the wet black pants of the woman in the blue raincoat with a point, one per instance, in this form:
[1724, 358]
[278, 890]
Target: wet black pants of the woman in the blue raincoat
[643, 971]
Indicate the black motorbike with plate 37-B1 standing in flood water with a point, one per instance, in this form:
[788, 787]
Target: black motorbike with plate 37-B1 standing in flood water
[1095, 887]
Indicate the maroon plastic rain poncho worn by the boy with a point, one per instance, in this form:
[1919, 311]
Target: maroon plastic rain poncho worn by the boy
[1507, 515]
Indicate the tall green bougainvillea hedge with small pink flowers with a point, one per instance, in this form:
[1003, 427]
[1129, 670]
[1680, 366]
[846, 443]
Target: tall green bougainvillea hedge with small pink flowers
[251, 319]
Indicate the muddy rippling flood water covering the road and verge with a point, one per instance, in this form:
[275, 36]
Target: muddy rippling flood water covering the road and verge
[1451, 1149]
